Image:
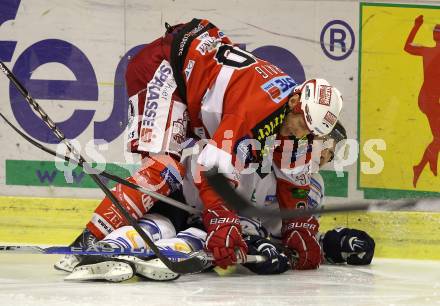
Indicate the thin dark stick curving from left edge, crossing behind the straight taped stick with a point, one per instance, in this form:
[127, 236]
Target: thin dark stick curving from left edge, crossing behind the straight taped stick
[110, 176]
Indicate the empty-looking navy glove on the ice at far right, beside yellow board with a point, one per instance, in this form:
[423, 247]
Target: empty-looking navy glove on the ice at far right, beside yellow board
[352, 246]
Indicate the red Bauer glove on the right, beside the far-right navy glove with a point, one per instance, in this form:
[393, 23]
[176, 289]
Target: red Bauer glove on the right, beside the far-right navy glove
[299, 236]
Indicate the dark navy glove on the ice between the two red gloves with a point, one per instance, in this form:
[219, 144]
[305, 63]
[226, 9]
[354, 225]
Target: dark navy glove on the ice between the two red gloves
[276, 263]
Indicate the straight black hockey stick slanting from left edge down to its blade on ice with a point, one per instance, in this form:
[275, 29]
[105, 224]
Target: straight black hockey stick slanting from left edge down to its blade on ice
[190, 265]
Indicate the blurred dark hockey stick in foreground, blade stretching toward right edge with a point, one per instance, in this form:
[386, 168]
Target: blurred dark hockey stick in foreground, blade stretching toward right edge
[235, 201]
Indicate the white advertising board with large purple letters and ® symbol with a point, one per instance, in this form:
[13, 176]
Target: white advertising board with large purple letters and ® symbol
[71, 56]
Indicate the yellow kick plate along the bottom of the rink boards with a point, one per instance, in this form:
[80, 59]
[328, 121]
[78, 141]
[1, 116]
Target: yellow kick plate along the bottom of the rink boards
[57, 221]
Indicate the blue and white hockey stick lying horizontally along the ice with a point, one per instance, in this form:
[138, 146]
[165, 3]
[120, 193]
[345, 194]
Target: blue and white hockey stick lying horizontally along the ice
[110, 251]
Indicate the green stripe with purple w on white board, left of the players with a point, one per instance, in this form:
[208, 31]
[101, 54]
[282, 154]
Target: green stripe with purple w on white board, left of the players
[45, 173]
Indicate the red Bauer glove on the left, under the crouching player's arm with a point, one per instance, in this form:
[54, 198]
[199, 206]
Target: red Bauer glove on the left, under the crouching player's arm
[224, 236]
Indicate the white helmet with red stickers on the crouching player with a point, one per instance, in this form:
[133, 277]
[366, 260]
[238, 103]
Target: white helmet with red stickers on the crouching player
[321, 104]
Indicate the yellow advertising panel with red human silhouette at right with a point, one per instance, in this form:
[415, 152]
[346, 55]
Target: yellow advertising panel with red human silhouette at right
[399, 92]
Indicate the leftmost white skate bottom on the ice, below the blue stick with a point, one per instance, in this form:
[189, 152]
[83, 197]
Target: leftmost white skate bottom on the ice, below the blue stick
[109, 271]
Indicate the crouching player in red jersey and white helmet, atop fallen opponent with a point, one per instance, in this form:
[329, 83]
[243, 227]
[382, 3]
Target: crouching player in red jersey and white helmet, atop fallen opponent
[194, 82]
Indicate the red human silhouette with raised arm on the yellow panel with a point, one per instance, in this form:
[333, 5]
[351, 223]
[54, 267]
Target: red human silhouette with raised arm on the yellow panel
[429, 95]
